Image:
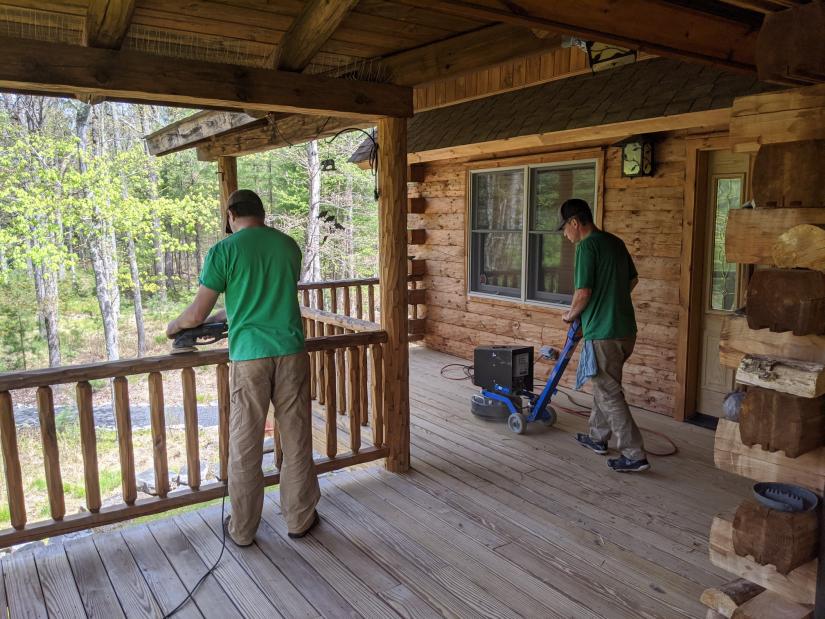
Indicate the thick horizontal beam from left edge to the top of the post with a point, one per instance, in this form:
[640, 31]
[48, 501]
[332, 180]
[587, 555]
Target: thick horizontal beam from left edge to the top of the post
[134, 76]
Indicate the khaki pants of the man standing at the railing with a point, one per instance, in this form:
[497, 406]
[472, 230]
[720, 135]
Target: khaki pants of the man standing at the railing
[284, 382]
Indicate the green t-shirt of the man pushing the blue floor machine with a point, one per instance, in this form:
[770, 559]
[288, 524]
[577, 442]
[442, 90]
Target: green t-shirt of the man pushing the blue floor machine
[604, 265]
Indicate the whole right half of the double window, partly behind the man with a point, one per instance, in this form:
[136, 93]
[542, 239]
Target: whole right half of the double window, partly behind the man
[551, 256]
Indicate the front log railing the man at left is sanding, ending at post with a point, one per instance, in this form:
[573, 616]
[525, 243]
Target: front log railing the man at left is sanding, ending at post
[362, 341]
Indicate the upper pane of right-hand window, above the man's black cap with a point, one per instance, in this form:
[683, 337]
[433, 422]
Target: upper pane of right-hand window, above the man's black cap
[552, 186]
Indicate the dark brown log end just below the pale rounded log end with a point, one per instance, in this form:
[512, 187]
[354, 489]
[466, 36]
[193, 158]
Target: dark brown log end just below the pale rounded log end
[787, 300]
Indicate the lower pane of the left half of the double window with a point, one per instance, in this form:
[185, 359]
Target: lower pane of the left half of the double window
[496, 263]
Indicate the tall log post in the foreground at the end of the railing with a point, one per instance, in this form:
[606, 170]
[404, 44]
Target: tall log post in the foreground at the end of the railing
[392, 258]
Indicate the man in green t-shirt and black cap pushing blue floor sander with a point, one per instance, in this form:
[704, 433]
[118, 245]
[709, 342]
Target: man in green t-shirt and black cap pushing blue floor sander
[604, 276]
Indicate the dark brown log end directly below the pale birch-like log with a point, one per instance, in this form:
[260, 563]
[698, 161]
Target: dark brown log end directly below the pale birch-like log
[781, 422]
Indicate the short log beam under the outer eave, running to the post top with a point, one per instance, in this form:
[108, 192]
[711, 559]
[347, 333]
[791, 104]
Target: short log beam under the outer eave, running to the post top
[293, 129]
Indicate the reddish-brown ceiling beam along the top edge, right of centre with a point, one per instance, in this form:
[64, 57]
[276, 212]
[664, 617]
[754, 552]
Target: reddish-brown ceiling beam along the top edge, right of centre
[649, 25]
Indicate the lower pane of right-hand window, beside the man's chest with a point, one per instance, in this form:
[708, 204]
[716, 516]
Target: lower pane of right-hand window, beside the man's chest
[550, 268]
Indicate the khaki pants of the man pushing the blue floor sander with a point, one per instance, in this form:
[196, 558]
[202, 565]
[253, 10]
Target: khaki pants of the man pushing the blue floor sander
[610, 415]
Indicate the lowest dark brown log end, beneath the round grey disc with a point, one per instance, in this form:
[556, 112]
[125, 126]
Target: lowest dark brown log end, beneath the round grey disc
[783, 539]
